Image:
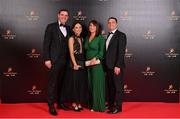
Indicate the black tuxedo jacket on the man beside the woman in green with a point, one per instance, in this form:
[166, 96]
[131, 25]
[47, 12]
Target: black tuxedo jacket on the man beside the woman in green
[114, 56]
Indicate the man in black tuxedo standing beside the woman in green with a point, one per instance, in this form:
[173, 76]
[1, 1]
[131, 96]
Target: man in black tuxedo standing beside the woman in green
[115, 65]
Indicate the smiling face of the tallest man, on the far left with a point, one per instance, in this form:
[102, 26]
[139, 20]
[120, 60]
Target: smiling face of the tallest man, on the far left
[63, 17]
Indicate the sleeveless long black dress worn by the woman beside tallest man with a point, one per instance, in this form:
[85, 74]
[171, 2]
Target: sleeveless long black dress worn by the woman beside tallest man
[75, 86]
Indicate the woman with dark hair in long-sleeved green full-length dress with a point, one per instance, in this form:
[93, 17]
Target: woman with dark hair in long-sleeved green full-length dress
[94, 46]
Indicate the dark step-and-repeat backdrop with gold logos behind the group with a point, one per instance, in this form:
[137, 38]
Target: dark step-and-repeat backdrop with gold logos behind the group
[152, 54]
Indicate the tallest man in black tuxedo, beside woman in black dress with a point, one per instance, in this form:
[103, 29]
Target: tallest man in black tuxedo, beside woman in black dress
[55, 54]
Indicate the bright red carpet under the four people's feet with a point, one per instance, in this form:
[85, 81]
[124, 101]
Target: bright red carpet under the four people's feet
[130, 110]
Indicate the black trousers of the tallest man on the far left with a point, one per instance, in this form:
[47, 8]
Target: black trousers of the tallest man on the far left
[55, 82]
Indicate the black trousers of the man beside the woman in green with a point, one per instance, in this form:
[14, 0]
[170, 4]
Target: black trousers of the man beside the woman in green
[115, 86]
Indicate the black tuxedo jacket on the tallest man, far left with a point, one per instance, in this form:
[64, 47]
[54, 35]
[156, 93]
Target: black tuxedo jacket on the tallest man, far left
[55, 44]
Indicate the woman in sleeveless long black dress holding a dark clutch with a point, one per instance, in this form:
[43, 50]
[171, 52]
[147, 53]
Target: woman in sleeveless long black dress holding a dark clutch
[75, 87]
